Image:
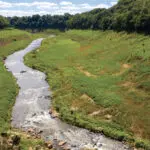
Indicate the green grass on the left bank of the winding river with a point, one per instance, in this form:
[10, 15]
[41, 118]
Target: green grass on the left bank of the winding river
[11, 40]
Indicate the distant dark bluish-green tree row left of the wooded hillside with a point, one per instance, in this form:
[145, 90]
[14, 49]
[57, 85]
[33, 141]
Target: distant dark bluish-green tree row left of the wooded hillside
[37, 22]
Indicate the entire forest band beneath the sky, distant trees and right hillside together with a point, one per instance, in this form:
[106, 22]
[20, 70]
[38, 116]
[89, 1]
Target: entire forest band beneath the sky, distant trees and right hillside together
[127, 15]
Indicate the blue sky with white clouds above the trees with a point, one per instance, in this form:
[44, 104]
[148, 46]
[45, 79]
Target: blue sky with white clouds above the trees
[31, 7]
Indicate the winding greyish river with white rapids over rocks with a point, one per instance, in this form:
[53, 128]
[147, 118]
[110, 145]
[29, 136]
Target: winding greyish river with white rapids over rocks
[31, 109]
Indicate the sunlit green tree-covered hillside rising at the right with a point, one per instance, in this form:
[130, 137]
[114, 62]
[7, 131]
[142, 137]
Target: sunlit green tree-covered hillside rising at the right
[127, 15]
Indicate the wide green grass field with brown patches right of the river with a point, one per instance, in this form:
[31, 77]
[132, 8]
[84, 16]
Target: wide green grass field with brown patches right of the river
[100, 81]
